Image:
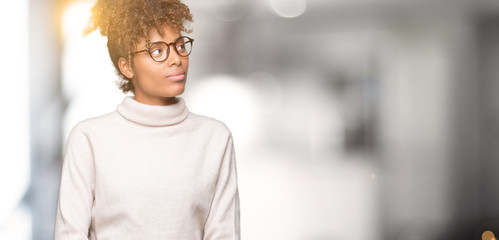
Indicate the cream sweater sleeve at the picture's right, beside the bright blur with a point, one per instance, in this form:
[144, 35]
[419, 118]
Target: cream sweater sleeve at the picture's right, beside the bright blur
[223, 219]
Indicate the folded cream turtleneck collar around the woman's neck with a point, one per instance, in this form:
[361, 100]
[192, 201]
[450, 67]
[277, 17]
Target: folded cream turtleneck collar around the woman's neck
[150, 115]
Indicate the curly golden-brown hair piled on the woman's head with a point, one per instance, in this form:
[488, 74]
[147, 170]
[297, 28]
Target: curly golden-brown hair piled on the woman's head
[125, 22]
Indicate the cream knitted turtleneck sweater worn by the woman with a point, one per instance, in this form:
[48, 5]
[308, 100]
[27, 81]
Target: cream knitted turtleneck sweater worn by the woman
[149, 172]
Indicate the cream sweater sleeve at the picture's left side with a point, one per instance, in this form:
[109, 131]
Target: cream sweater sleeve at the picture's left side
[76, 193]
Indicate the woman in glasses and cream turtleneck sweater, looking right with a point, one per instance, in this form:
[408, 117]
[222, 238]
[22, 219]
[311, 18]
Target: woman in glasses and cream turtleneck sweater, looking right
[151, 169]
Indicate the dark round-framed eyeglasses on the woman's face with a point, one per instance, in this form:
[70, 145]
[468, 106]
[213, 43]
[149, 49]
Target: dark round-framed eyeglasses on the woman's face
[159, 51]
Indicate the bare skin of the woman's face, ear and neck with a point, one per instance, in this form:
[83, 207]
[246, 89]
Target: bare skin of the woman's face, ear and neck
[157, 83]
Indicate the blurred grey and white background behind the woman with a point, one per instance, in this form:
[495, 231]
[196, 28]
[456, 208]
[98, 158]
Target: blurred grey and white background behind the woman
[359, 119]
